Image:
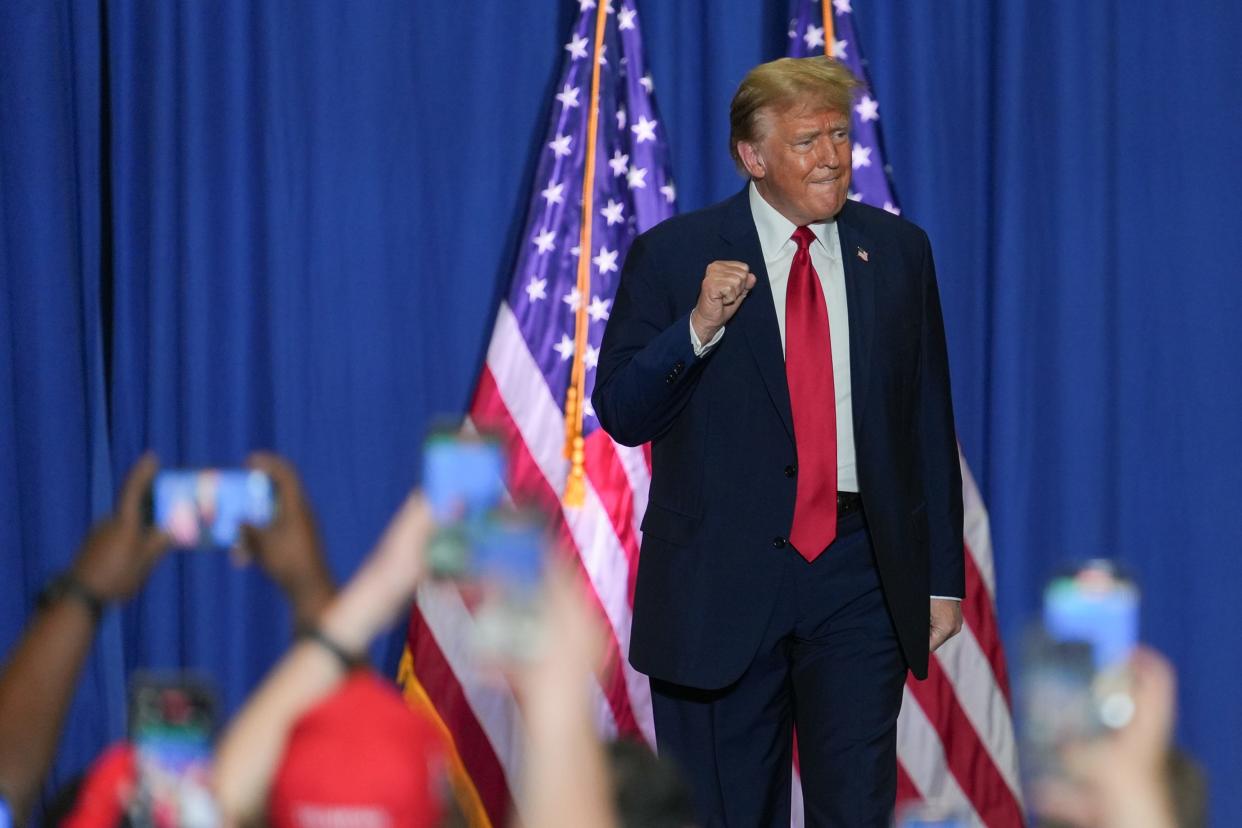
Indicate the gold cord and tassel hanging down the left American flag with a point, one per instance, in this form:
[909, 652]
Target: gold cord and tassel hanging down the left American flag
[576, 486]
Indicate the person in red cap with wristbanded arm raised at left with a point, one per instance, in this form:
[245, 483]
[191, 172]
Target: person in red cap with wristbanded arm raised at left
[321, 743]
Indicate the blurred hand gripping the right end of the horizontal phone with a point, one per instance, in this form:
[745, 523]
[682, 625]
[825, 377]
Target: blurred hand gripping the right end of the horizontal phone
[289, 549]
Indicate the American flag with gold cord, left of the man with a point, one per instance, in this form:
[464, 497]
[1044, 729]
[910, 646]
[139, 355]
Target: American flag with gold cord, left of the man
[550, 325]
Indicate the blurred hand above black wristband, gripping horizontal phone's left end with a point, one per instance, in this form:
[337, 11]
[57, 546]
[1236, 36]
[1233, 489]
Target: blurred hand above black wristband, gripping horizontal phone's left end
[121, 551]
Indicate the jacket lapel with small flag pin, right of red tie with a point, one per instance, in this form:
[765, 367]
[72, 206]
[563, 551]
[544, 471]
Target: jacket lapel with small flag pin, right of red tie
[859, 258]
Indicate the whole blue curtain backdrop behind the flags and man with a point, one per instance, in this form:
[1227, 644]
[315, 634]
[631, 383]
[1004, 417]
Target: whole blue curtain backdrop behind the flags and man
[239, 225]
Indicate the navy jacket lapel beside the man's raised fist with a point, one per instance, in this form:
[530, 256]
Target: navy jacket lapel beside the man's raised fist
[756, 320]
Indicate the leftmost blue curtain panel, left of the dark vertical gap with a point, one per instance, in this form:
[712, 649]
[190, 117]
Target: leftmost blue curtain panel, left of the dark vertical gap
[55, 477]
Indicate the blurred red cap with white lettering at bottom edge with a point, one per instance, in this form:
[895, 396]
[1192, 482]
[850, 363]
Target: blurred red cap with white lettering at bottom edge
[362, 758]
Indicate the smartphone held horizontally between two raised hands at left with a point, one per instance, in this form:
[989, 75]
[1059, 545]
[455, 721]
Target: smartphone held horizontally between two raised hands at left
[208, 507]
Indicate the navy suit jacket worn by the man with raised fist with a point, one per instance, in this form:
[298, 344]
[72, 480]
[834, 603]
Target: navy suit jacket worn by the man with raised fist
[723, 452]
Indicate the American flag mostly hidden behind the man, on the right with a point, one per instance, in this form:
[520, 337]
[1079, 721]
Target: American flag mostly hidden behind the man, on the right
[956, 734]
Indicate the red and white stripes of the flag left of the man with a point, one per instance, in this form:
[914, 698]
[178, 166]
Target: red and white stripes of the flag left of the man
[514, 399]
